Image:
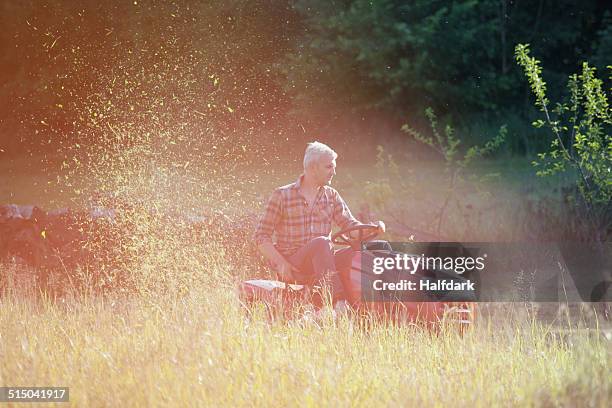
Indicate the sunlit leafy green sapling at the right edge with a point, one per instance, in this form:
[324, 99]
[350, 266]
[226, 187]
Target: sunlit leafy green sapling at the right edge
[582, 142]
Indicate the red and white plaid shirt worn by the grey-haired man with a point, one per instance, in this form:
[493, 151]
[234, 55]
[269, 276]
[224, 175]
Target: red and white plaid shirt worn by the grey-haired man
[295, 223]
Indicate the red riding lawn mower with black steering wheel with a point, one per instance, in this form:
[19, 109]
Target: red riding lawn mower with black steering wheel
[428, 308]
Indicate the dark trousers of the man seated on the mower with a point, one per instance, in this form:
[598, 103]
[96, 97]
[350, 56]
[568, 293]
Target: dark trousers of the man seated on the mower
[318, 264]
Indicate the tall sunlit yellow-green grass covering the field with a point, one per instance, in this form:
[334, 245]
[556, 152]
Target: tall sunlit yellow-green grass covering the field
[194, 345]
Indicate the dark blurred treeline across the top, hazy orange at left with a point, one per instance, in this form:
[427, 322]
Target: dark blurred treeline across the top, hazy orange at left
[283, 71]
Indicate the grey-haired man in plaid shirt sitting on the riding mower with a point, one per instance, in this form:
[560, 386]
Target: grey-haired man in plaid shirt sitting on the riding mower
[301, 214]
